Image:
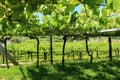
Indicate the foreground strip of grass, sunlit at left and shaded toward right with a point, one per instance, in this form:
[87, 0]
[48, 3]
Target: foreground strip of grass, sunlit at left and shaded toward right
[99, 70]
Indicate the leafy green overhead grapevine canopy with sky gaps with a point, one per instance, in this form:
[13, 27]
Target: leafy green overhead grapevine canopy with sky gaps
[17, 17]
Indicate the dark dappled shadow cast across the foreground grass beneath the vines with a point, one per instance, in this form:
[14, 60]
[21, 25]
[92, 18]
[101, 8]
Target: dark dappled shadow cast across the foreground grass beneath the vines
[102, 70]
